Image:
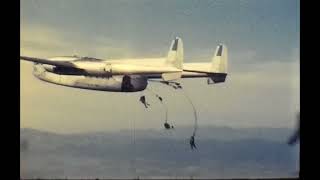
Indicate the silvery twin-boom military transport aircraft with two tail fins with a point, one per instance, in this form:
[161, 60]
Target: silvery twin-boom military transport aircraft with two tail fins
[128, 75]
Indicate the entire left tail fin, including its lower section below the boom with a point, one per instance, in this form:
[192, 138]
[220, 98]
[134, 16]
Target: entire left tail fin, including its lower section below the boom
[174, 59]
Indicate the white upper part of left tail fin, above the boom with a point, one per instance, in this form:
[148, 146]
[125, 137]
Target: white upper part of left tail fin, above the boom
[175, 54]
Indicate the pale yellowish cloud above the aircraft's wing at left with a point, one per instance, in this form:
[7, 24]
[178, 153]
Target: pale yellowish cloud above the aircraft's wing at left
[45, 41]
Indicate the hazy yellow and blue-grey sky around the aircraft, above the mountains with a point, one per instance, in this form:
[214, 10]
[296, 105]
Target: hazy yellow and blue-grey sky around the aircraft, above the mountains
[262, 36]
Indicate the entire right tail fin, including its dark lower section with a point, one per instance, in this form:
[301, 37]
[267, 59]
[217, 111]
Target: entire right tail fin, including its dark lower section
[219, 66]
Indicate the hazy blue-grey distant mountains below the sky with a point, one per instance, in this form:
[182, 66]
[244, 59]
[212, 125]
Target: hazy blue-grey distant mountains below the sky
[222, 152]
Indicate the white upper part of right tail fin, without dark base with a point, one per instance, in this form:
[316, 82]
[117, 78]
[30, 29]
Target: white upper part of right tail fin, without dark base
[220, 60]
